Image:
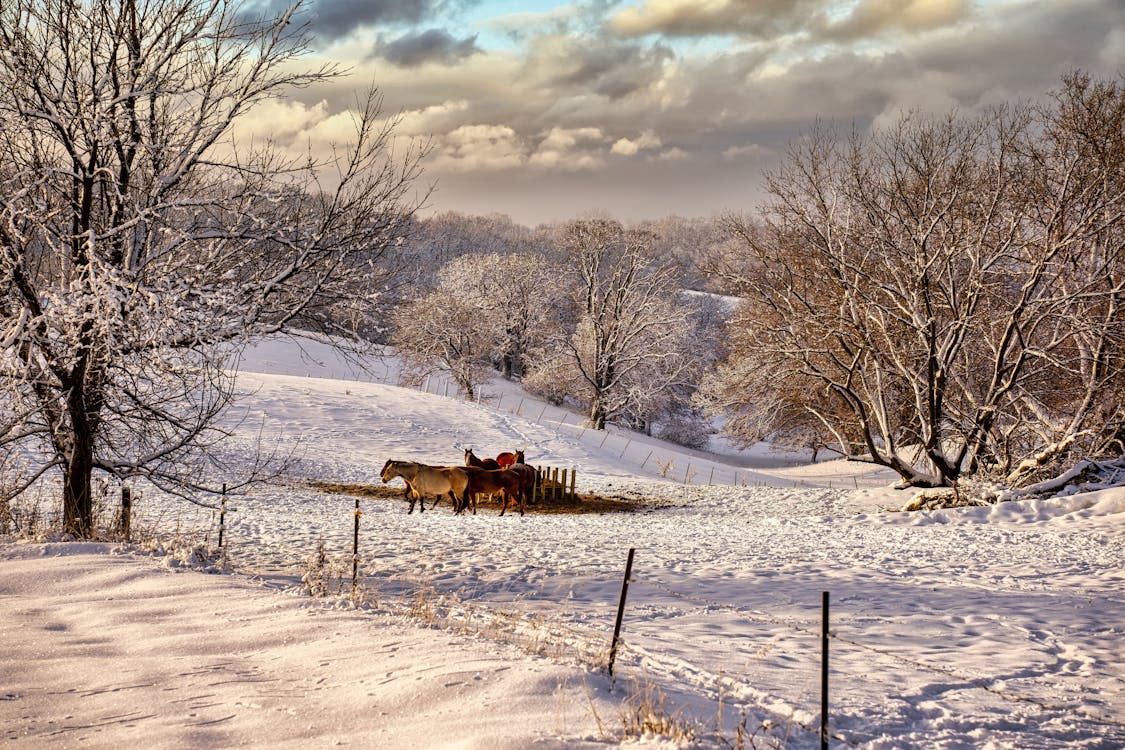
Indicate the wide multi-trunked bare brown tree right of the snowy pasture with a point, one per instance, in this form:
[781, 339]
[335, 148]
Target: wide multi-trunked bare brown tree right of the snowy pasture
[917, 293]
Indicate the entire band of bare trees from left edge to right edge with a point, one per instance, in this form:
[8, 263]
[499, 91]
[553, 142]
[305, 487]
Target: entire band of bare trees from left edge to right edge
[942, 297]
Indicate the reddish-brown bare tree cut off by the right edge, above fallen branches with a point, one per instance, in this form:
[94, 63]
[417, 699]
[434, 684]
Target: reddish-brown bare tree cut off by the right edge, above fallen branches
[1075, 403]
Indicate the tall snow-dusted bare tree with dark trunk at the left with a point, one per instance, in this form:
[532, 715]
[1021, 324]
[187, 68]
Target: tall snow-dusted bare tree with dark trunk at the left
[141, 246]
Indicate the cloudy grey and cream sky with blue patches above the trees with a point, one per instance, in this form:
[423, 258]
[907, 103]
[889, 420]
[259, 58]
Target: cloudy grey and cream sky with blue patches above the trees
[550, 111]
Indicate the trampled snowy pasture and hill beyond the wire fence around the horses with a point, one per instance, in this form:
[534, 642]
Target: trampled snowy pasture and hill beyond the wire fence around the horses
[980, 628]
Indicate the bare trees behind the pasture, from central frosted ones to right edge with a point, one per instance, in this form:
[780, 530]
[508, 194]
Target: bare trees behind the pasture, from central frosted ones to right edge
[943, 297]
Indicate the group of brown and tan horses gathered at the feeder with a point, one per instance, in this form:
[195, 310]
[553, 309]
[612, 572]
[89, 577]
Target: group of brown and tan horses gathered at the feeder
[507, 475]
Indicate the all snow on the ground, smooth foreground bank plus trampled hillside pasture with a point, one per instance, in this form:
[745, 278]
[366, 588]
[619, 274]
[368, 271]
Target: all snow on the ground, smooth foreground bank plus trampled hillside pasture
[993, 627]
